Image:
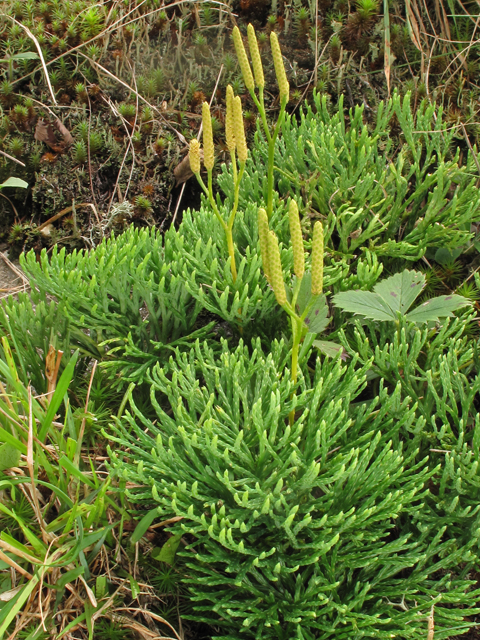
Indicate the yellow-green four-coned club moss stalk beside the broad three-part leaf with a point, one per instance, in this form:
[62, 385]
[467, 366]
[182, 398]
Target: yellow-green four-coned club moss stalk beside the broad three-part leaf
[272, 266]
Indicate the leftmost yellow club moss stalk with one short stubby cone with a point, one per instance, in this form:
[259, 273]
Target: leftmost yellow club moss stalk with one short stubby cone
[237, 144]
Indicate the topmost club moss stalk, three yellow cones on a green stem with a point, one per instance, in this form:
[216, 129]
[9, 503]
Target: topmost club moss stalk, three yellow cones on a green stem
[257, 80]
